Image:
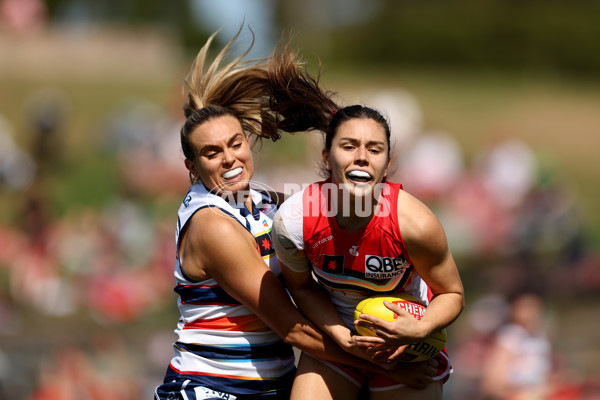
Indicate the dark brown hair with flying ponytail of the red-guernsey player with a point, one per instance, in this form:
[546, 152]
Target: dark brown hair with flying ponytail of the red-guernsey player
[301, 105]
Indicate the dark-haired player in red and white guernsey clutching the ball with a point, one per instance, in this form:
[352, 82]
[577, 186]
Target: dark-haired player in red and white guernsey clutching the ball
[358, 236]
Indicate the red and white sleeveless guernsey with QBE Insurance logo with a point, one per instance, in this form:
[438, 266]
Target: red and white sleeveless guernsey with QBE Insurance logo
[351, 265]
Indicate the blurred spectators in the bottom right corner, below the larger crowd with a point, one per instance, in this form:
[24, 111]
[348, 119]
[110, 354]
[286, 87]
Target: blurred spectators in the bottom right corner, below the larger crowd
[509, 352]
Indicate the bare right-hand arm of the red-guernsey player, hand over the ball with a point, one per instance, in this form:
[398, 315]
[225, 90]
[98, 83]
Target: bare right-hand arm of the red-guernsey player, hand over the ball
[428, 250]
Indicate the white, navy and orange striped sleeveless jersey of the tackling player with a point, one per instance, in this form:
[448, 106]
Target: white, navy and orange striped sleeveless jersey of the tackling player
[222, 344]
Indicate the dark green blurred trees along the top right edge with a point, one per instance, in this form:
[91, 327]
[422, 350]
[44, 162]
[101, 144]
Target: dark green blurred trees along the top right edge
[548, 35]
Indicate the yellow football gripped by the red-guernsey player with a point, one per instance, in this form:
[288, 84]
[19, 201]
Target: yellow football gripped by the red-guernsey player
[414, 352]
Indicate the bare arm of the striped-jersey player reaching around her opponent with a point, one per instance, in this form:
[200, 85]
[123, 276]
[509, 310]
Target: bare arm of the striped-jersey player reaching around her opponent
[228, 253]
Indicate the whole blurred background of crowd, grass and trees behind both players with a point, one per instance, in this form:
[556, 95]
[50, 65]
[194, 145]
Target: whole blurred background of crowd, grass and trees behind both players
[91, 174]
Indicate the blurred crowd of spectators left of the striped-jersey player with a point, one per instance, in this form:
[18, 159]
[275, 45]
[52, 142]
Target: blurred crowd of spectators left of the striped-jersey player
[90, 271]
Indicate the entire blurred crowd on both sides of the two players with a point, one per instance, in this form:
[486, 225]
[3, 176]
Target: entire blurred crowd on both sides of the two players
[511, 218]
